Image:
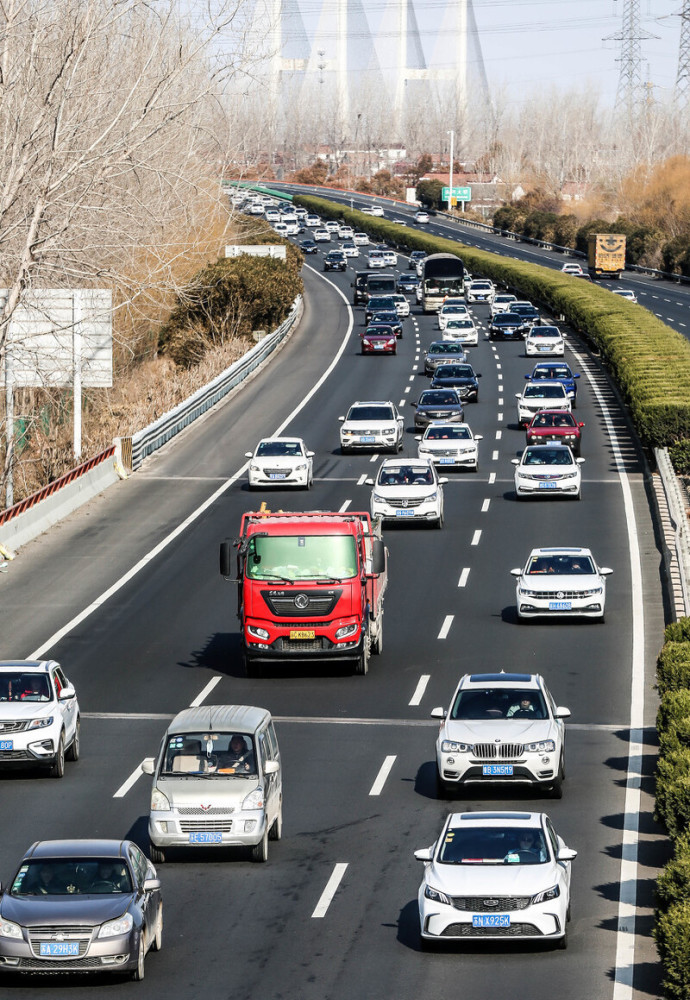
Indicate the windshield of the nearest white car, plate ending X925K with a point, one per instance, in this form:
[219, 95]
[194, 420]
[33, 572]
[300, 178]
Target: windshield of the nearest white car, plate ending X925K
[493, 846]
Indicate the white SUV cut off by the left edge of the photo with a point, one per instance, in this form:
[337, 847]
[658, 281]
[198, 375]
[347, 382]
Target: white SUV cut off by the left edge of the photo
[39, 715]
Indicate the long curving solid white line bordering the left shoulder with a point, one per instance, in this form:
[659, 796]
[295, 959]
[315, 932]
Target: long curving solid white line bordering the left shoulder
[39, 653]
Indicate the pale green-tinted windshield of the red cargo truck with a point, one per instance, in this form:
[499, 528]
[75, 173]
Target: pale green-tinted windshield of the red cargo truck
[302, 557]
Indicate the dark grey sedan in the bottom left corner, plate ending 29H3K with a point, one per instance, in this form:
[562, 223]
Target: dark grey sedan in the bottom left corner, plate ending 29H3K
[81, 906]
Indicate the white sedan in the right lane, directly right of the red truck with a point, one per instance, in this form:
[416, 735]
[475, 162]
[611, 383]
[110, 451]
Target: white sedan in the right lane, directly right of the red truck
[560, 582]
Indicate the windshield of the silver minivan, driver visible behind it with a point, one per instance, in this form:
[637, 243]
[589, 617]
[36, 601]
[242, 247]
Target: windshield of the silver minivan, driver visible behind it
[211, 754]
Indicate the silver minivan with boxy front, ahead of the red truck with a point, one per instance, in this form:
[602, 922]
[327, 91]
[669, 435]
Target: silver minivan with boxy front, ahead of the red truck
[217, 782]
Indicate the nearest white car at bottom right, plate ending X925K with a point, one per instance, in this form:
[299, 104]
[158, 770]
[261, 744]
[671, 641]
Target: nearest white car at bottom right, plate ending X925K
[495, 875]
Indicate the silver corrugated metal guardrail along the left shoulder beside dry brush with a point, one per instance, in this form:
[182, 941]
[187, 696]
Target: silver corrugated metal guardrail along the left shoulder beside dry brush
[158, 433]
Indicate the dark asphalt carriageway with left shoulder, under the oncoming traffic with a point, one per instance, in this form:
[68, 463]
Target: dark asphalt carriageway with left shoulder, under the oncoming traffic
[134, 608]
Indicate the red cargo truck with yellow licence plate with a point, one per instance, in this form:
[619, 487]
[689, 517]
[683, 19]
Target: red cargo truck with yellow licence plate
[310, 586]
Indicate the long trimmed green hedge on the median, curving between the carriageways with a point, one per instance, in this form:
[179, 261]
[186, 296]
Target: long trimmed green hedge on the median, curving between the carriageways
[649, 361]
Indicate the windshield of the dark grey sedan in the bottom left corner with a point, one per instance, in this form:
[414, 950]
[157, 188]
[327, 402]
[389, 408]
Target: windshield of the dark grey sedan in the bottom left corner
[72, 877]
